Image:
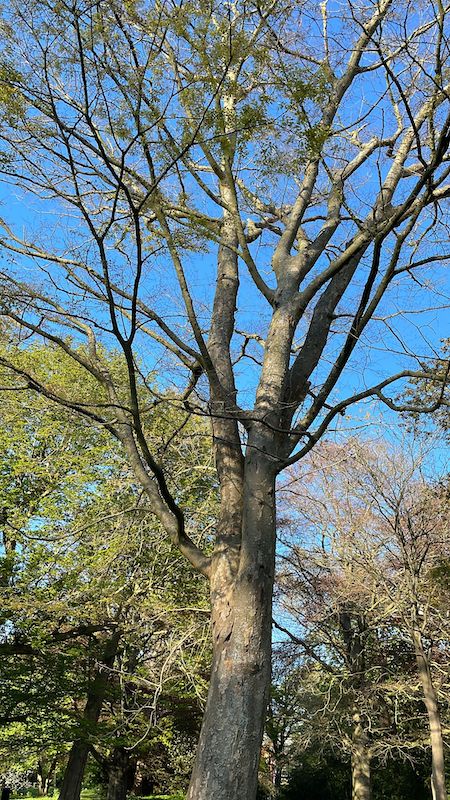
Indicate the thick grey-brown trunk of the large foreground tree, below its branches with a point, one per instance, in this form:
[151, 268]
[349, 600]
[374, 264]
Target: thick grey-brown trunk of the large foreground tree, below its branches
[227, 760]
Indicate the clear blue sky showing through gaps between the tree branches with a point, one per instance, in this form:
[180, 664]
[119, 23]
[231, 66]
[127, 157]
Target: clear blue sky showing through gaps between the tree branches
[411, 320]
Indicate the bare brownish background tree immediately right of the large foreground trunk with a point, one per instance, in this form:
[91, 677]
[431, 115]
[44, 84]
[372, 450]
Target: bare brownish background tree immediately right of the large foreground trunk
[333, 622]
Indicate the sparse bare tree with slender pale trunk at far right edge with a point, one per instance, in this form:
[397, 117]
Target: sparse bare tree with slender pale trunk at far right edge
[416, 544]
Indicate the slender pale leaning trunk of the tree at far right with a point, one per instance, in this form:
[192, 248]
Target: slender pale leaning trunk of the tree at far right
[434, 720]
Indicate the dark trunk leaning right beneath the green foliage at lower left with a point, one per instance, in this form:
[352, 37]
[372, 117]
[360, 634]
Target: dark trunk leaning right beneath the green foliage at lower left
[76, 765]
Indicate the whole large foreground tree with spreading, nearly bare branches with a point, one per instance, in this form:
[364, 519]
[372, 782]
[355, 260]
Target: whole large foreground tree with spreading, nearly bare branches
[294, 160]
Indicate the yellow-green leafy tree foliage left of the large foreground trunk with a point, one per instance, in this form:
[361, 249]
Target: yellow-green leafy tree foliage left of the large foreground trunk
[90, 584]
